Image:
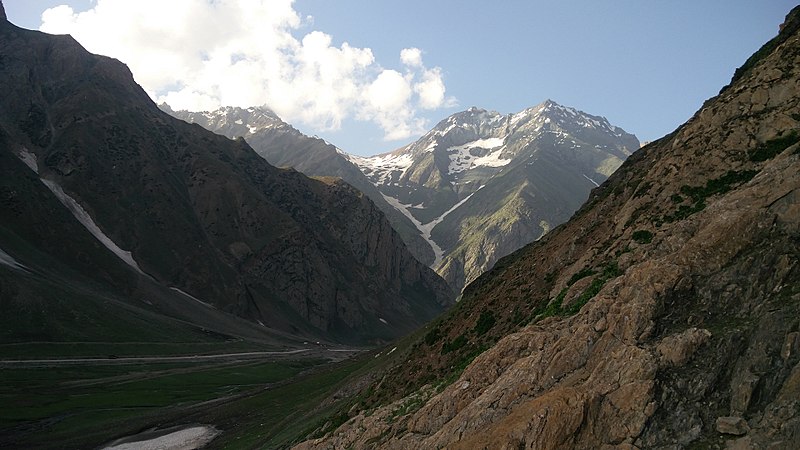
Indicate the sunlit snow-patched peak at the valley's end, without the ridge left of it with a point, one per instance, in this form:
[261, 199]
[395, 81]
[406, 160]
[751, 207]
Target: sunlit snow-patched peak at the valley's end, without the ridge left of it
[526, 163]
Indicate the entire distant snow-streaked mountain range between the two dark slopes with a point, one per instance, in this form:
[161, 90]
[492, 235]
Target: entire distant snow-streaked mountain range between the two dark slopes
[475, 188]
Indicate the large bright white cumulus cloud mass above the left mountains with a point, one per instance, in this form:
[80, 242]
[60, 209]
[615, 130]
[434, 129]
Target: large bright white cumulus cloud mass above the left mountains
[203, 54]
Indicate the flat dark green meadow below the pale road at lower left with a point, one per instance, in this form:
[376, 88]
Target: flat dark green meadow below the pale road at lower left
[83, 406]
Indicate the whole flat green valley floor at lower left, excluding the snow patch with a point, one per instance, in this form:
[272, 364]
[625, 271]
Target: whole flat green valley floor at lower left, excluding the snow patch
[243, 399]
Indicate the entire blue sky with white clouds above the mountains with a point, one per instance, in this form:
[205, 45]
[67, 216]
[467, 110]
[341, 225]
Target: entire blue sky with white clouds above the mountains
[371, 76]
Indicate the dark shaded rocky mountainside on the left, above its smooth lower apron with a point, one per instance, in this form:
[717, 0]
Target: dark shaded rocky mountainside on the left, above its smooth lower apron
[94, 170]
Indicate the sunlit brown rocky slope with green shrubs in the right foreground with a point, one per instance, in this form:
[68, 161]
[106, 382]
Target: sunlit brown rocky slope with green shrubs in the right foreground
[664, 314]
